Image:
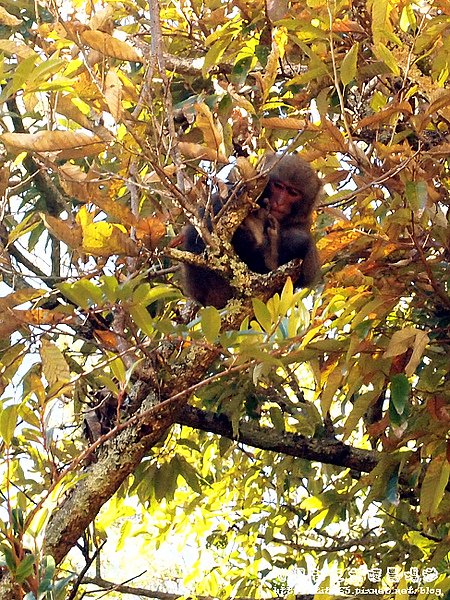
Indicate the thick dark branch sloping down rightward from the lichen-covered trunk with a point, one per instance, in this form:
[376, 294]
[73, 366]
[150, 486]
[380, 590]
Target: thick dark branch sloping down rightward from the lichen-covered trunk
[326, 450]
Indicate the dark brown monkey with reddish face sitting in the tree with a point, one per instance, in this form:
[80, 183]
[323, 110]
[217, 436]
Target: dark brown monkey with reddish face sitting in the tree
[275, 233]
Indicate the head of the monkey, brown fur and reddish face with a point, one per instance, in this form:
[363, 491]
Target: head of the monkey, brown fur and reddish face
[292, 188]
